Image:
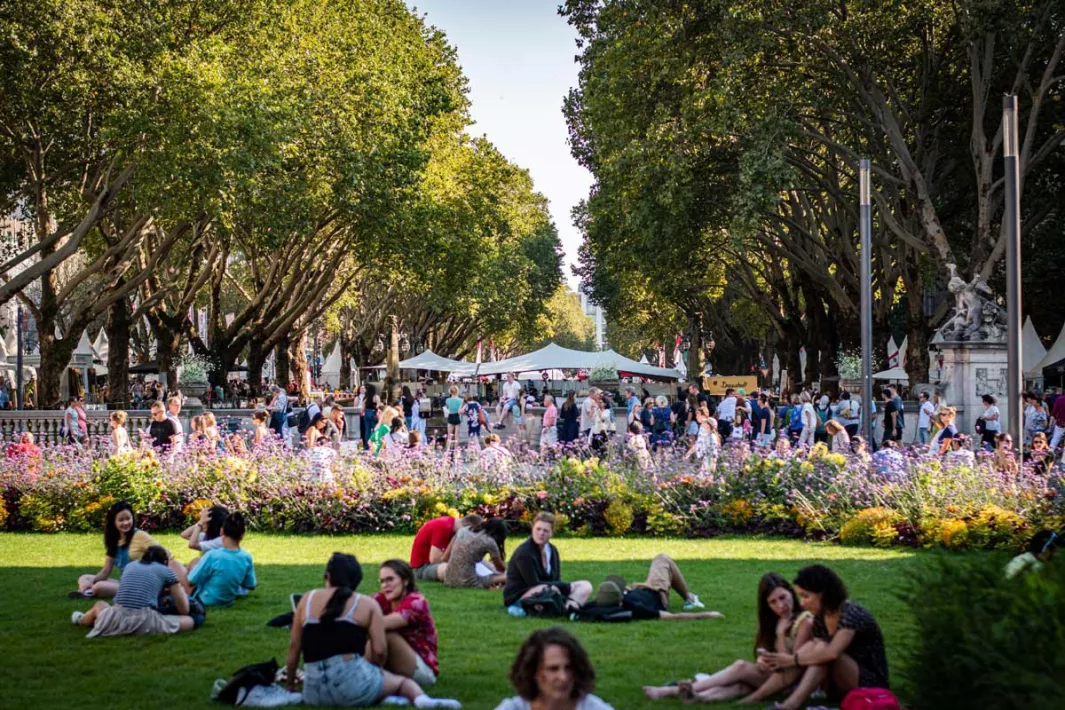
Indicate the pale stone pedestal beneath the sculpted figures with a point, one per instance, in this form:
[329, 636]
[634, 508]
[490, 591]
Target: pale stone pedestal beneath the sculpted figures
[971, 370]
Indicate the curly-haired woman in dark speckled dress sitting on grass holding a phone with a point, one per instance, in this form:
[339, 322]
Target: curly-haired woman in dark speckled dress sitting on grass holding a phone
[847, 650]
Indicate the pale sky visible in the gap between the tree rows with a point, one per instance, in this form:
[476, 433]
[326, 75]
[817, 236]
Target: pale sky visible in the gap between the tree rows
[519, 59]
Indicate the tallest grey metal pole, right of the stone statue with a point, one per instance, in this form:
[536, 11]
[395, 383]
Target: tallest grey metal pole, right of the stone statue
[1015, 375]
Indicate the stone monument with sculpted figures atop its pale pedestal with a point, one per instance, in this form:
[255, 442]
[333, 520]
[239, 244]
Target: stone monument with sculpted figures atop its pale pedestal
[974, 344]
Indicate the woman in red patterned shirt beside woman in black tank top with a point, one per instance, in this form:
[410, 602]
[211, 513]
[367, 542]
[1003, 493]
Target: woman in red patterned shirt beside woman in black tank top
[411, 632]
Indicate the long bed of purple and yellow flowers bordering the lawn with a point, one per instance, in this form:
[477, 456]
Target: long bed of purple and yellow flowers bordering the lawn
[815, 494]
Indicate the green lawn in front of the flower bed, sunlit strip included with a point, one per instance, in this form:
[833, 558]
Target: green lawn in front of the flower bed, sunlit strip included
[50, 664]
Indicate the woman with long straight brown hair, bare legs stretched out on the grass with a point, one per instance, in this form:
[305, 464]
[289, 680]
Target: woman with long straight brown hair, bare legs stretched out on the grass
[782, 628]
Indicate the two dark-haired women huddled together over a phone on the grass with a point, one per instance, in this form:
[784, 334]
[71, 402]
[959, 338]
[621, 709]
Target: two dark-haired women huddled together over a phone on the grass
[827, 641]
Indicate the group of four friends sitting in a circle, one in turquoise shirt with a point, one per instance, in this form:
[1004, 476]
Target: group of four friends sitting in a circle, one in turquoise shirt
[156, 595]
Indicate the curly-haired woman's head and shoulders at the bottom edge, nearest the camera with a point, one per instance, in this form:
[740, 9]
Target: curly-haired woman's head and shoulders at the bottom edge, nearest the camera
[553, 672]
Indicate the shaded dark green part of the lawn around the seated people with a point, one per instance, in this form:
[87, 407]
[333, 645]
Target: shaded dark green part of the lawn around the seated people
[57, 668]
